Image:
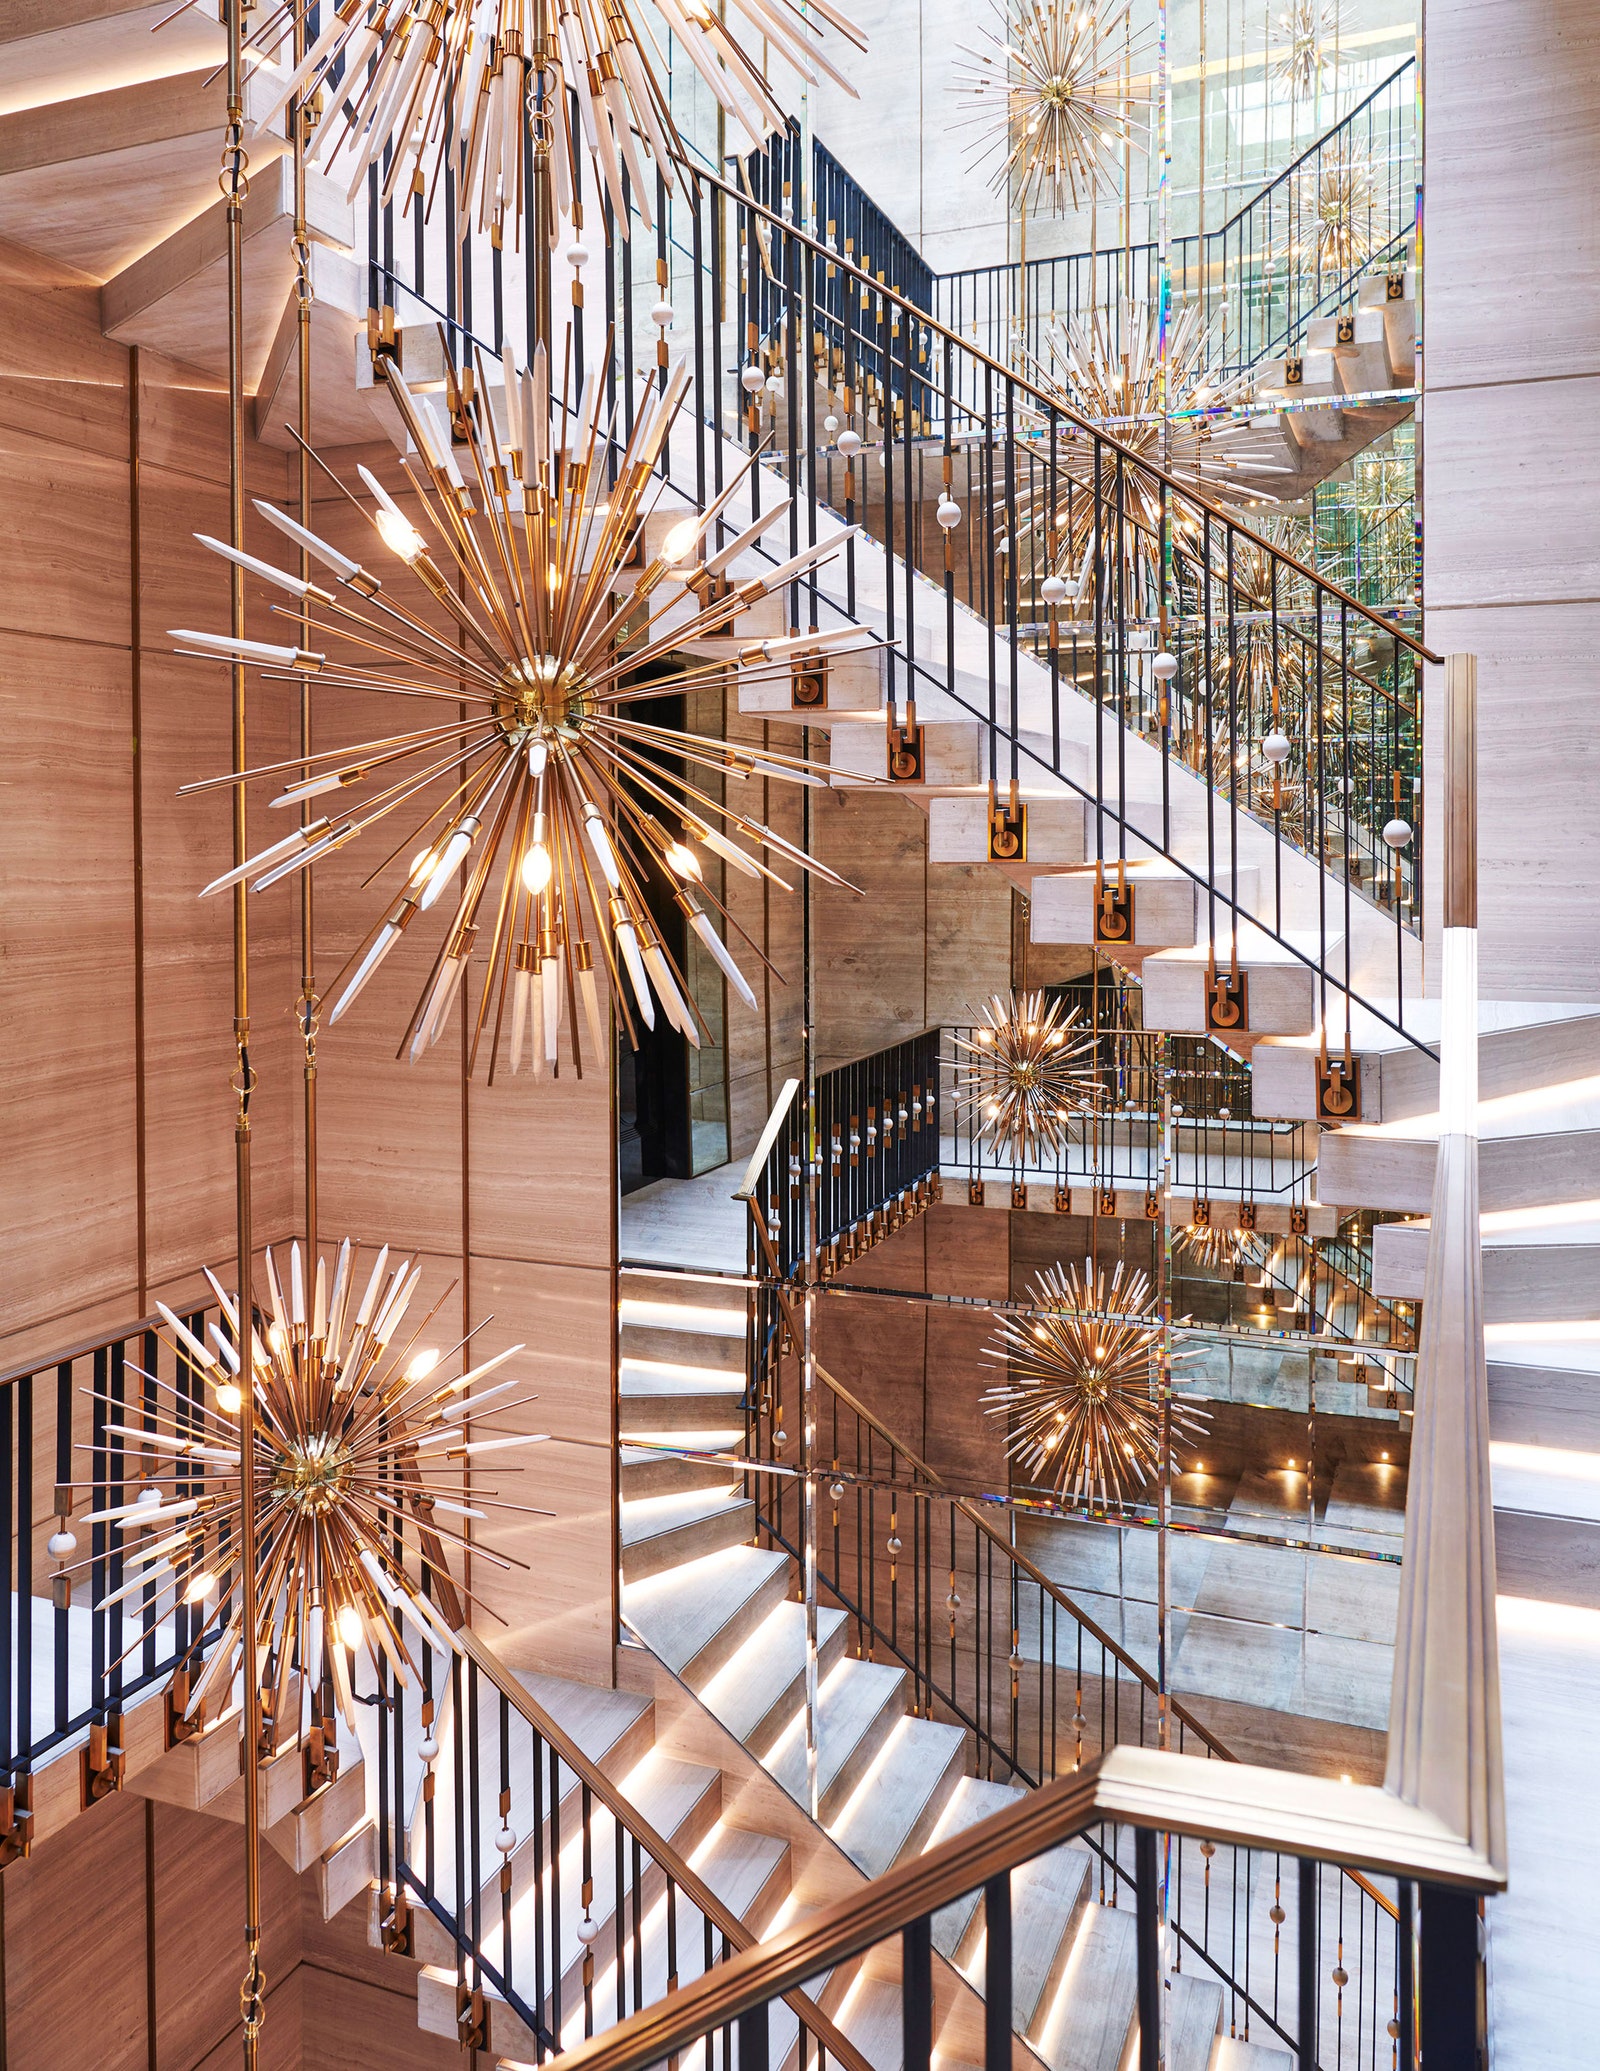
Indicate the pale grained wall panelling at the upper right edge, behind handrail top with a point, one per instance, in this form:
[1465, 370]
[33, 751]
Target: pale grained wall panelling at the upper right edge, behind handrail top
[1512, 465]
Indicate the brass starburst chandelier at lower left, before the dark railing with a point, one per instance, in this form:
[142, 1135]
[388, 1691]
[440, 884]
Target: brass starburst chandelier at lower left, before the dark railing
[357, 1442]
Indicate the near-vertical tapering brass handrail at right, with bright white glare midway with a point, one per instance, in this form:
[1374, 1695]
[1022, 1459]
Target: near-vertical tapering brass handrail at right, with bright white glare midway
[1446, 1703]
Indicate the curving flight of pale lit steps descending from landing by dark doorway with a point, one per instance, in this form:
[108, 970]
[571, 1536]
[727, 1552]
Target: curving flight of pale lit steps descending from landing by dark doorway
[889, 1784]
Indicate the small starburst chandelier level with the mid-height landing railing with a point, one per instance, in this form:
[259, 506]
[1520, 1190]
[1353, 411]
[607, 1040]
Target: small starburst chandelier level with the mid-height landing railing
[1032, 1070]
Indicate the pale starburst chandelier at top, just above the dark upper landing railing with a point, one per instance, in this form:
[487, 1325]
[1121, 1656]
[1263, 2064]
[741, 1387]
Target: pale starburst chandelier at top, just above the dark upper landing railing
[1053, 80]
